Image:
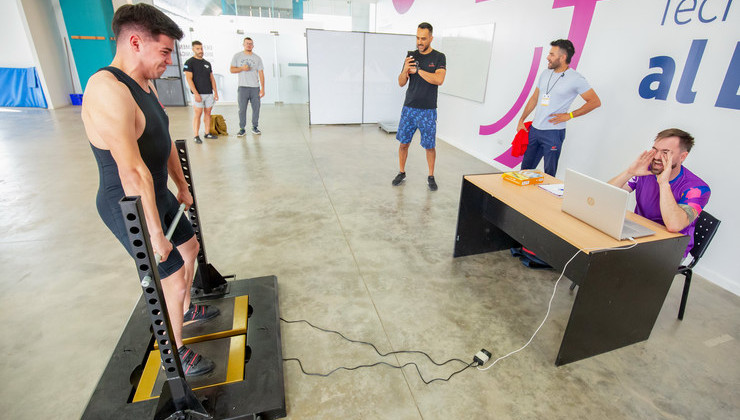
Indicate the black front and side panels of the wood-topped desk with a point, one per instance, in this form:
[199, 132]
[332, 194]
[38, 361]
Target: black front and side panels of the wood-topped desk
[621, 292]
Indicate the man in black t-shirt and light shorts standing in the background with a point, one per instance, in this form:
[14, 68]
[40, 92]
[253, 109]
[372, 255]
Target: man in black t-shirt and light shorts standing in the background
[199, 75]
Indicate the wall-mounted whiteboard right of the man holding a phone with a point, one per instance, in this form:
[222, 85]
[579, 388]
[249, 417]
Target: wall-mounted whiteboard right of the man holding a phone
[468, 51]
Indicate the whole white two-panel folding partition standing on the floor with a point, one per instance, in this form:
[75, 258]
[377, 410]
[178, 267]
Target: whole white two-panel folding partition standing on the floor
[345, 89]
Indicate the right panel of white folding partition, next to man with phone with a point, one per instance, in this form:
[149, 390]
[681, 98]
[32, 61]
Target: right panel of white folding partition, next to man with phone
[384, 55]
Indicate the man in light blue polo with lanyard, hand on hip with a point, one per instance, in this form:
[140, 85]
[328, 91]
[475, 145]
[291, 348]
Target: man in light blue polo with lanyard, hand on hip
[556, 89]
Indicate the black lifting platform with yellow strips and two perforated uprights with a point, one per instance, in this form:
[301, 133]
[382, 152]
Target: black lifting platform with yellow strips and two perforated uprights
[143, 380]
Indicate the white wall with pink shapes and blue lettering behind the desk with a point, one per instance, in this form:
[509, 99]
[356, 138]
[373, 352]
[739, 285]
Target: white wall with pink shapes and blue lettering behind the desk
[622, 37]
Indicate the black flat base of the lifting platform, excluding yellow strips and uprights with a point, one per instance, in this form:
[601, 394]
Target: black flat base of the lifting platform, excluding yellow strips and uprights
[261, 393]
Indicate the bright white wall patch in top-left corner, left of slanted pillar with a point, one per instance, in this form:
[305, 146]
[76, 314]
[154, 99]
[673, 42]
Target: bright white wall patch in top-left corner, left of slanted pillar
[14, 50]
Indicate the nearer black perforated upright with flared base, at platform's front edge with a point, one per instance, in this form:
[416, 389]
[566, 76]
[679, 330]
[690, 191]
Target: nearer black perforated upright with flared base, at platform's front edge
[177, 399]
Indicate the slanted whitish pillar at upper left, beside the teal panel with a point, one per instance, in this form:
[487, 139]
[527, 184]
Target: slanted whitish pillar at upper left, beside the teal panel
[47, 49]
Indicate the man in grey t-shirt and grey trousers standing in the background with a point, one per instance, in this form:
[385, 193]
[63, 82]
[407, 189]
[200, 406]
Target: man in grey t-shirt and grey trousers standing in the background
[251, 85]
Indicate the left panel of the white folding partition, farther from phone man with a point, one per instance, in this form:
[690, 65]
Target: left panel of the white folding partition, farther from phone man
[335, 76]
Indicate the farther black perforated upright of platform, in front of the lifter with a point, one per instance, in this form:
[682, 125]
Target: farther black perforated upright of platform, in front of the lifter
[208, 281]
